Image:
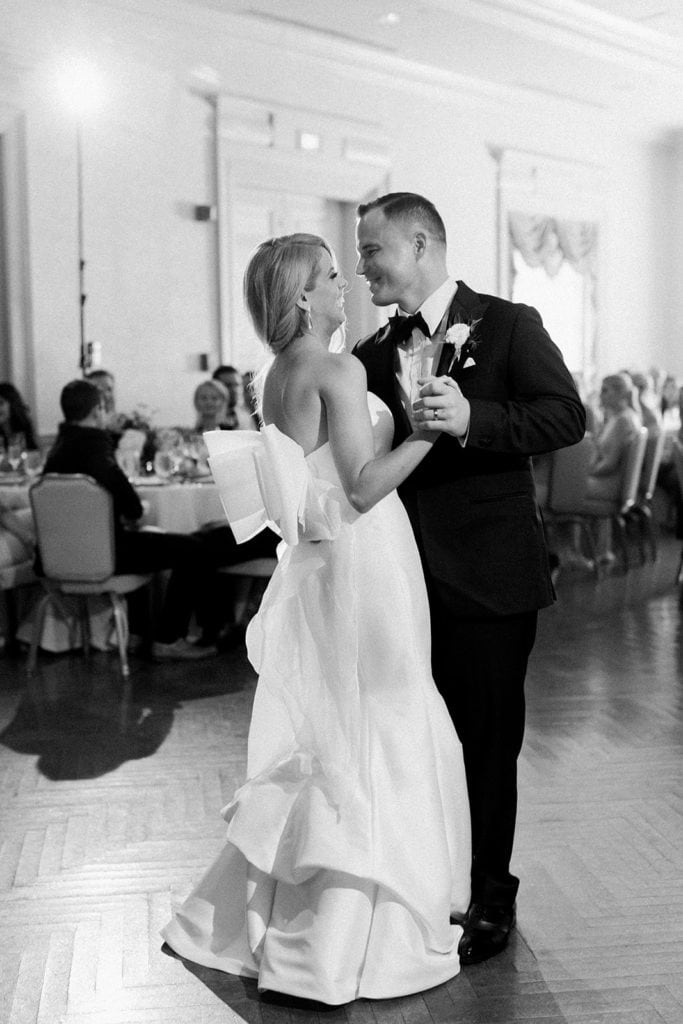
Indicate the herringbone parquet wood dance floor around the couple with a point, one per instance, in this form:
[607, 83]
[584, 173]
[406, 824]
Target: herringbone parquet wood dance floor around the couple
[110, 802]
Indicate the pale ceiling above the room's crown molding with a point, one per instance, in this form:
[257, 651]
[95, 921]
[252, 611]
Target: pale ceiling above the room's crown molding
[624, 57]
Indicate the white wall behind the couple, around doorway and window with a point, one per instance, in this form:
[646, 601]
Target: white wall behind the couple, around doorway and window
[150, 272]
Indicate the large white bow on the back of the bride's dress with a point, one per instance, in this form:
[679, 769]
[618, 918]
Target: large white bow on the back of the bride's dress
[264, 481]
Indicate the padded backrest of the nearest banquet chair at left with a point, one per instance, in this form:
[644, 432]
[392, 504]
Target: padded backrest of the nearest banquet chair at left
[74, 518]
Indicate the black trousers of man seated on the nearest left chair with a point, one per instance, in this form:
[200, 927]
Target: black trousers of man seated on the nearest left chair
[140, 551]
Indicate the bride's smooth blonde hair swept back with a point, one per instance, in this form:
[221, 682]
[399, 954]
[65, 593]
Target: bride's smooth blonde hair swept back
[279, 273]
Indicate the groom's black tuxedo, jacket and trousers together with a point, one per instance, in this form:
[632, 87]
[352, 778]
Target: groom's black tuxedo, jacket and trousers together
[480, 532]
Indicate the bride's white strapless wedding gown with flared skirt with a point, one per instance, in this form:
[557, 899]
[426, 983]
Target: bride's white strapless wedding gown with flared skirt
[349, 847]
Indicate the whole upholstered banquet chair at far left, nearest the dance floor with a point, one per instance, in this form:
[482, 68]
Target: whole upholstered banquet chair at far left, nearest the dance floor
[74, 519]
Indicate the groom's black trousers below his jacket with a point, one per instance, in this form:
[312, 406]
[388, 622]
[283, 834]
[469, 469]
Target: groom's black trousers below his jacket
[480, 665]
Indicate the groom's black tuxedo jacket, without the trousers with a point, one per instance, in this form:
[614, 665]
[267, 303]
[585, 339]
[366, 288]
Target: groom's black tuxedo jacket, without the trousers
[474, 508]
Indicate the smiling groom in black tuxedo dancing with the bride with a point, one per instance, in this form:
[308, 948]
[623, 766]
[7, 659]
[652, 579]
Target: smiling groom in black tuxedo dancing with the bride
[486, 375]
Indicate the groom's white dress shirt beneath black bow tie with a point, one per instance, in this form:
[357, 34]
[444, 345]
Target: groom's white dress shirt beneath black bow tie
[418, 357]
